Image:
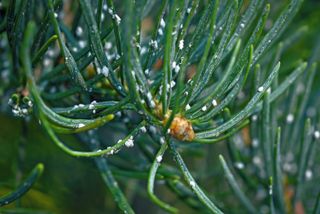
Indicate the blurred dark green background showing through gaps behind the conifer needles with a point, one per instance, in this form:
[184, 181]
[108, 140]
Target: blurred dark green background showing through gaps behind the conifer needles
[73, 185]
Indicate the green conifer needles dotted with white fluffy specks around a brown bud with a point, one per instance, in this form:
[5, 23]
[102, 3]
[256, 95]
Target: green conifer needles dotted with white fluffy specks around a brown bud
[170, 76]
